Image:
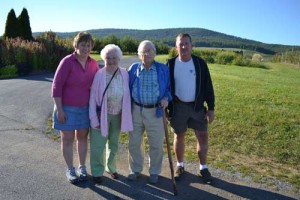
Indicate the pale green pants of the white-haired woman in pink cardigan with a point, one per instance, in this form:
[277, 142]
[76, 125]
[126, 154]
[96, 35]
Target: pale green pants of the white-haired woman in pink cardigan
[104, 149]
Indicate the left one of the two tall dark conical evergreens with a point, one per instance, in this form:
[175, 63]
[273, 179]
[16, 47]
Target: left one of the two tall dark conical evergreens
[12, 28]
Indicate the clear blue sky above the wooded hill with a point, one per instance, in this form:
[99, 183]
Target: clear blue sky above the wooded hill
[268, 21]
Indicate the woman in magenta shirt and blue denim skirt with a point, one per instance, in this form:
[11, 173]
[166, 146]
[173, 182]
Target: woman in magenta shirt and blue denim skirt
[71, 92]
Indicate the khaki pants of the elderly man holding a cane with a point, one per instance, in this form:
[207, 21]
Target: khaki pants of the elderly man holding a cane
[146, 120]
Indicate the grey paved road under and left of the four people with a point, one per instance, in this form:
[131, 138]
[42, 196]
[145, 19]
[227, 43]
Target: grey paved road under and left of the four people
[31, 165]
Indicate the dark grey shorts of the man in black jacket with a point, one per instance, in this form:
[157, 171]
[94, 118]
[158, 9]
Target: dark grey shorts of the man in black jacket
[186, 117]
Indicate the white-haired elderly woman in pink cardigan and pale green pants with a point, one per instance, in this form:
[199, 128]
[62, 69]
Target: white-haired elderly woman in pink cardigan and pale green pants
[110, 113]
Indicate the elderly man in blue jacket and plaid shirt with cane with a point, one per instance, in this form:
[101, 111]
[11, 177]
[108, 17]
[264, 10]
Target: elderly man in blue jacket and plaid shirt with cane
[150, 91]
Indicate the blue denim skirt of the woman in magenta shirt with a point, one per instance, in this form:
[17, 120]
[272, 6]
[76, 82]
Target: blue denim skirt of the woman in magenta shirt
[76, 118]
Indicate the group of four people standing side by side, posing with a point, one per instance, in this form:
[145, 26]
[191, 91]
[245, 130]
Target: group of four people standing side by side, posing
[111, 100]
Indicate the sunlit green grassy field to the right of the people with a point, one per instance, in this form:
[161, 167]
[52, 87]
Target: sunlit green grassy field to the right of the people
[257, 126]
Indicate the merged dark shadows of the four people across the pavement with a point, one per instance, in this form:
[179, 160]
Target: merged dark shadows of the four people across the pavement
[189, 187]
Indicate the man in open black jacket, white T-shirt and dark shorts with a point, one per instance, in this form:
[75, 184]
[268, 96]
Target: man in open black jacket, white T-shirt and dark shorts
[191, 86]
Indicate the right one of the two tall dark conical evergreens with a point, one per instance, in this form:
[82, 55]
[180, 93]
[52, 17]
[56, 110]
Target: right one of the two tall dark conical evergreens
[24, 24]
